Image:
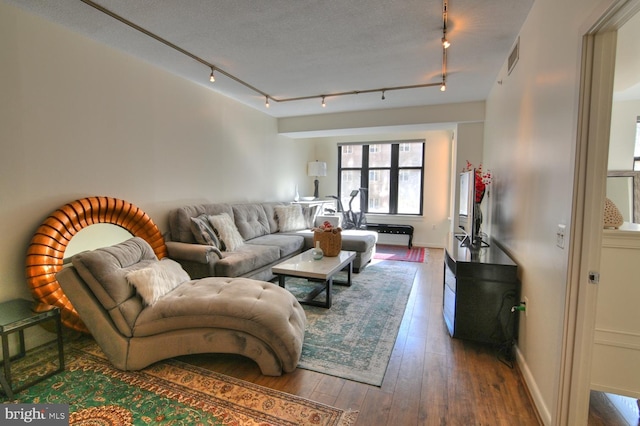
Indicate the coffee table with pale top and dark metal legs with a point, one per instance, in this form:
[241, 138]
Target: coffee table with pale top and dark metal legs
[320, 272]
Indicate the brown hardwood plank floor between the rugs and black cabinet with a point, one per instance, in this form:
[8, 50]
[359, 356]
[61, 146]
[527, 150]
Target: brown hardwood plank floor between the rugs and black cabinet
[431, 378]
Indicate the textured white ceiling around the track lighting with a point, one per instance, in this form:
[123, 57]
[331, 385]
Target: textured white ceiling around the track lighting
[295, 48]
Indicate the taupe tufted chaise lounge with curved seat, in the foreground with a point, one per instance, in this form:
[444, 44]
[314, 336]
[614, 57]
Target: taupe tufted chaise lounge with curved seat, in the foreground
[137, 322]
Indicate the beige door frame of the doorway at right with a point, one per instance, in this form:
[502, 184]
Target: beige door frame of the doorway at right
[592, 151]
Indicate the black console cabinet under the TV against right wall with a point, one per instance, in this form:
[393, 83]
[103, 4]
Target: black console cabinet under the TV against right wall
[480, 288]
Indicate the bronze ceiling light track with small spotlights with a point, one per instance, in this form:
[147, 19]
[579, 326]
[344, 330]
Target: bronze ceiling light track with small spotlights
[268, 97]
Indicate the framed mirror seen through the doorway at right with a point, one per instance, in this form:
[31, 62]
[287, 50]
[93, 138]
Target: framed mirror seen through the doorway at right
[623, 188]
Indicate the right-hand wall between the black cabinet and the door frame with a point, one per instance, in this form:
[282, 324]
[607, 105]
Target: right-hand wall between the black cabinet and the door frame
[530, 141]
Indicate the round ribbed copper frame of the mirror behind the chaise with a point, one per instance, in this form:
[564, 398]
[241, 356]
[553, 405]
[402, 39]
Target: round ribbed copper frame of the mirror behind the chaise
[46, 251]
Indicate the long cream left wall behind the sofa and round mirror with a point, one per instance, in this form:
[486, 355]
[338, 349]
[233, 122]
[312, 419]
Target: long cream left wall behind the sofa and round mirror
[79, 119]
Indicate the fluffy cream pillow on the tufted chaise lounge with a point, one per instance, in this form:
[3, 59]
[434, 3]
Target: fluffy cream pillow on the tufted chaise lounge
[156, 280]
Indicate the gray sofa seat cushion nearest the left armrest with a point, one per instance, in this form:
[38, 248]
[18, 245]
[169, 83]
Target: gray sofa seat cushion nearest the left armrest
[247, 258]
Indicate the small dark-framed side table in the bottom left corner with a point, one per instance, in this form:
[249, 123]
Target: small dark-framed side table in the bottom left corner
[15, 316]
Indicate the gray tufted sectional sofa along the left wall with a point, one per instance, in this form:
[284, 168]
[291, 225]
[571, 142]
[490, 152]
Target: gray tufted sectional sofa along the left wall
[268, 232]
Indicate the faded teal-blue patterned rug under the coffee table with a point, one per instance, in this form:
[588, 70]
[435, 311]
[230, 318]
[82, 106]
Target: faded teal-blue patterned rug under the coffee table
[355, 337]
